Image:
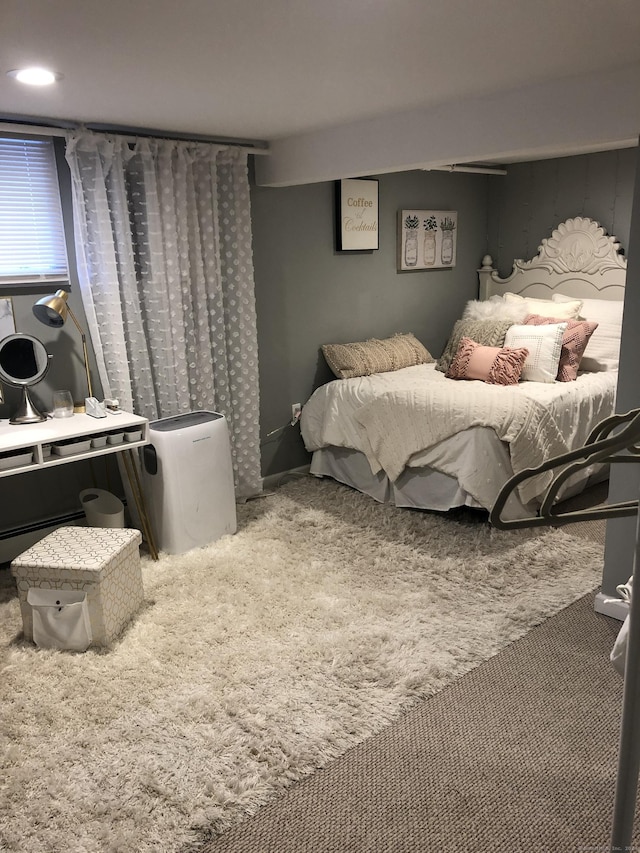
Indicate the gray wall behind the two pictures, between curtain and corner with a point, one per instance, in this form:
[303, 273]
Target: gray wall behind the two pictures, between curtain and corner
[307, 294]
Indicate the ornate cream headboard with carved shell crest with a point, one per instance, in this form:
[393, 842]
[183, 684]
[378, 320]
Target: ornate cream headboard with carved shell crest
[579, 259]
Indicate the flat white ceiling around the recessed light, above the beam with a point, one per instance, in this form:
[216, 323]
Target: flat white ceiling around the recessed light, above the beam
[281, 69]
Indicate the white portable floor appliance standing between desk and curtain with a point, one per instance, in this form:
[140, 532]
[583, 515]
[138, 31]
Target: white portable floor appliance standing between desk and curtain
[188, 479]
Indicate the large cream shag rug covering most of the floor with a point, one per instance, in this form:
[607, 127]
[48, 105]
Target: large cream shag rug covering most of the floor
[258, 659]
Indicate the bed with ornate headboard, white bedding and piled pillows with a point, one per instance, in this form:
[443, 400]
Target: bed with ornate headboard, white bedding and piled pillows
[429, 435]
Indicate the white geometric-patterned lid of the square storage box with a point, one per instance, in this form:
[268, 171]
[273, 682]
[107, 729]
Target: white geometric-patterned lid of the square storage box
[84, 548]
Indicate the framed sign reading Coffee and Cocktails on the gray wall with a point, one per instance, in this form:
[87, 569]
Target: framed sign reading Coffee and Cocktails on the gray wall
[356, 215]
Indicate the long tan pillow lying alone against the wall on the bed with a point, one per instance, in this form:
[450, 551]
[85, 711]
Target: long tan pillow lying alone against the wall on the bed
[375, 356]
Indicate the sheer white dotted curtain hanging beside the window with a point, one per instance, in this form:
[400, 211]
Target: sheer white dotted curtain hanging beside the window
[163, 244]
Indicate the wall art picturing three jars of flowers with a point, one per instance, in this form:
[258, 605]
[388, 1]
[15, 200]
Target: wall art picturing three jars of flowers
[427, 239]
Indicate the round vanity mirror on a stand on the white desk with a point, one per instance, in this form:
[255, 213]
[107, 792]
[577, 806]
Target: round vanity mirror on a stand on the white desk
[23, 362]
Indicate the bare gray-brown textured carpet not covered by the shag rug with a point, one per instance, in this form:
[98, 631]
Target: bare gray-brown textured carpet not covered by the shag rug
[518, 755]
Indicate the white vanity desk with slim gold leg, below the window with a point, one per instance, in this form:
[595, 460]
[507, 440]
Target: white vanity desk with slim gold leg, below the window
[31, 447]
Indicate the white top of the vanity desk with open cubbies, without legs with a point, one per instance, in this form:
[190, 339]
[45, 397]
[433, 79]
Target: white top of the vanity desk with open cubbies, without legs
[27, 439]
